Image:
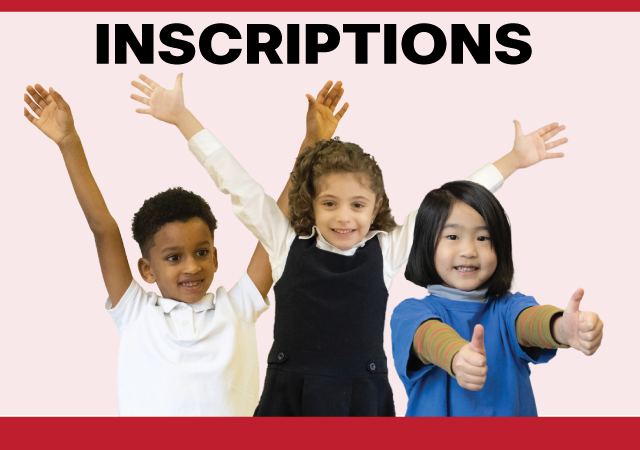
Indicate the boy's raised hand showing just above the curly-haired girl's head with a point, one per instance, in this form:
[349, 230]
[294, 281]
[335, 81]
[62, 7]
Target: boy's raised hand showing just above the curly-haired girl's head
[321, 122]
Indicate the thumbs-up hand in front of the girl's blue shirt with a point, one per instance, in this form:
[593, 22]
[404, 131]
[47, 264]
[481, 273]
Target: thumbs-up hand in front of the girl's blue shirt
[470, 363]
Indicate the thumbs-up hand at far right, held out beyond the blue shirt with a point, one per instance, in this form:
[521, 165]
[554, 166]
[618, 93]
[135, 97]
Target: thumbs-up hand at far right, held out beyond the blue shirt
[580, 329]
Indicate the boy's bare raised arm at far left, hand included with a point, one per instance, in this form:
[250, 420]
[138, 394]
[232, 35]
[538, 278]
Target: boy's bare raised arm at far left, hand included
[53, 117]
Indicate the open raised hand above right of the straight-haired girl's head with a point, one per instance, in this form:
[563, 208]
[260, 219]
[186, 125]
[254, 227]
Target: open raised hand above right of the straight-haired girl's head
[532, 148]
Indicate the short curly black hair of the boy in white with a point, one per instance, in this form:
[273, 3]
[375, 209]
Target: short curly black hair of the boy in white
[173, 205]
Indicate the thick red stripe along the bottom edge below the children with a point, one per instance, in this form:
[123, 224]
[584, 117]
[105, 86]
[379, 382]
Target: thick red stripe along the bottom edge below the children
[311, 433]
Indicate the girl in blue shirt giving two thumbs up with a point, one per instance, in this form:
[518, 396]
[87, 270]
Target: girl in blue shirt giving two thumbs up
[465, 349]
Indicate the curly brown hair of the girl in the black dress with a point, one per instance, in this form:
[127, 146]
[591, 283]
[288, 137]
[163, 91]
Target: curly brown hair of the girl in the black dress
[333, 156]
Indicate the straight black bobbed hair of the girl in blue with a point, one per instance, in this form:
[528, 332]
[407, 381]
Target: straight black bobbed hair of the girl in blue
[432, 216]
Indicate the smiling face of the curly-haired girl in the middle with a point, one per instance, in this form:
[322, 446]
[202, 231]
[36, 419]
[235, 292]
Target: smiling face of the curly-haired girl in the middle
[344, 208]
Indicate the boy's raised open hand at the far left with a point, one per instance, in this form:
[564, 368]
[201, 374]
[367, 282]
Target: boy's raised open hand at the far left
[54, 117]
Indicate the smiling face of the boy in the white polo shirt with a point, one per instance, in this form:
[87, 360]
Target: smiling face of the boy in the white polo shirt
[182, 260]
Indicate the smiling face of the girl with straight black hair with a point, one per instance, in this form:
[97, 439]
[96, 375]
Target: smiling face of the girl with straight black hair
[465, 258]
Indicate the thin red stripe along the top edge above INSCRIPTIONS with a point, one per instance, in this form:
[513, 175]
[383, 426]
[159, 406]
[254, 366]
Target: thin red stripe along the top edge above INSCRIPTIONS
[344, 6]
